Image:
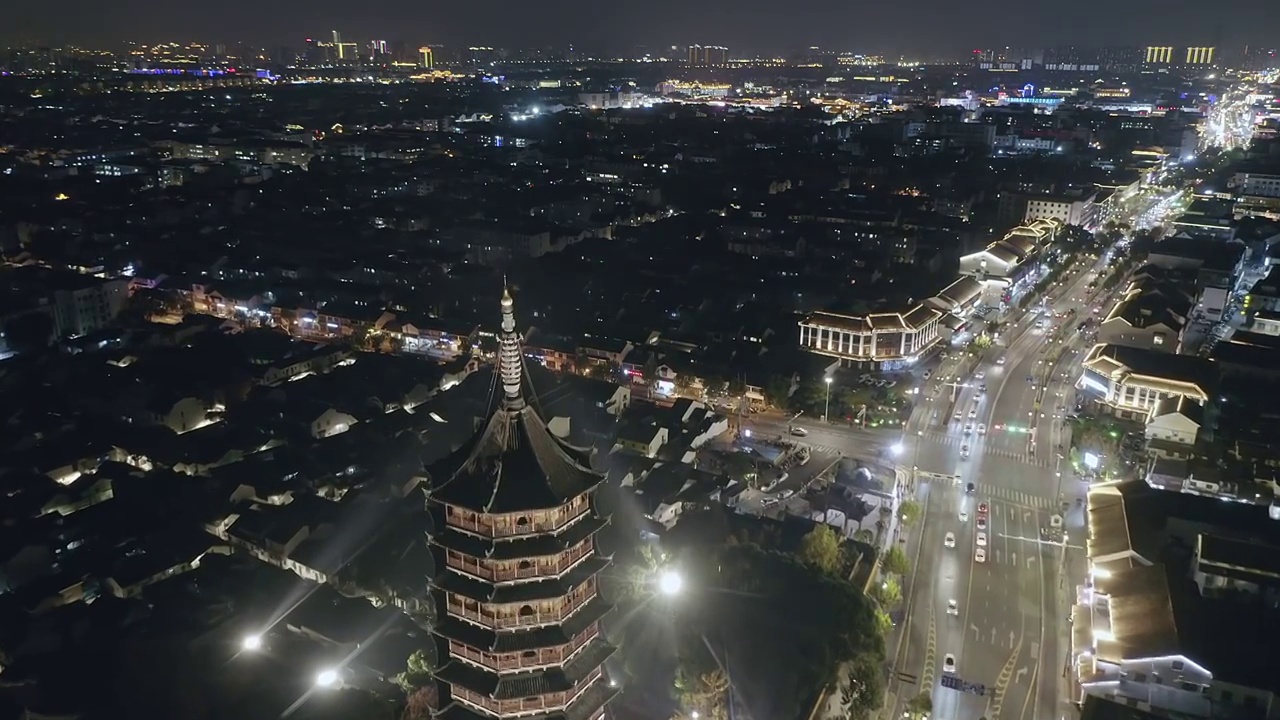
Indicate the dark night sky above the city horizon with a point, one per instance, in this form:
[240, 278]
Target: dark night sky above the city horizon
[930, 29]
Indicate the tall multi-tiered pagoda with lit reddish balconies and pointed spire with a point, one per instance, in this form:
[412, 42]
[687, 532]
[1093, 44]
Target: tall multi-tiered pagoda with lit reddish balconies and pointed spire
[522, 608]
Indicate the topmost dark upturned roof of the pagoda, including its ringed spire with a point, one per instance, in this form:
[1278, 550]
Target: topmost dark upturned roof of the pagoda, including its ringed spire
[514, 463]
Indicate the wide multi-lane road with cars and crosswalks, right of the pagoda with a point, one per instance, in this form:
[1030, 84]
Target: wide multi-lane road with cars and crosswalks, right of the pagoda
[1008, 632]
